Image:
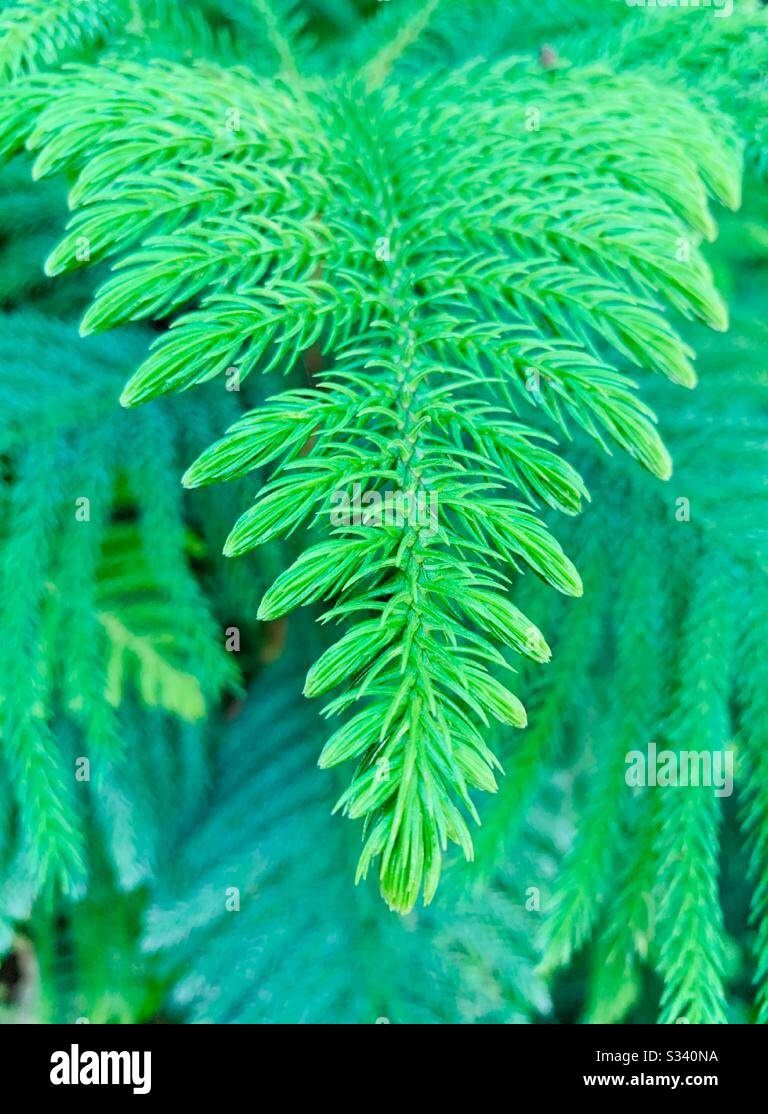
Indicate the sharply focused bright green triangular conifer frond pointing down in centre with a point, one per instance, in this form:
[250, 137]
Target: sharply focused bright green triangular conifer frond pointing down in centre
[381, 223]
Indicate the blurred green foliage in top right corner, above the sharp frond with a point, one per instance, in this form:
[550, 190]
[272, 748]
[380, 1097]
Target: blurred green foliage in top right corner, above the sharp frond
[717, 51]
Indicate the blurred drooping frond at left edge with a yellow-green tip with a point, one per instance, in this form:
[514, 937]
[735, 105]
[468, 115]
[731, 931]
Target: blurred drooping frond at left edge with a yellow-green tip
[98, 598]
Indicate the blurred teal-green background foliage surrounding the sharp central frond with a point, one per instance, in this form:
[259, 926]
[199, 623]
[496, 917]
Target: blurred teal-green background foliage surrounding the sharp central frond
[198, 874]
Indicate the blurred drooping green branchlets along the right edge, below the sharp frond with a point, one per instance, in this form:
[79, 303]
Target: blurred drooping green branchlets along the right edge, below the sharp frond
[676, 662]
